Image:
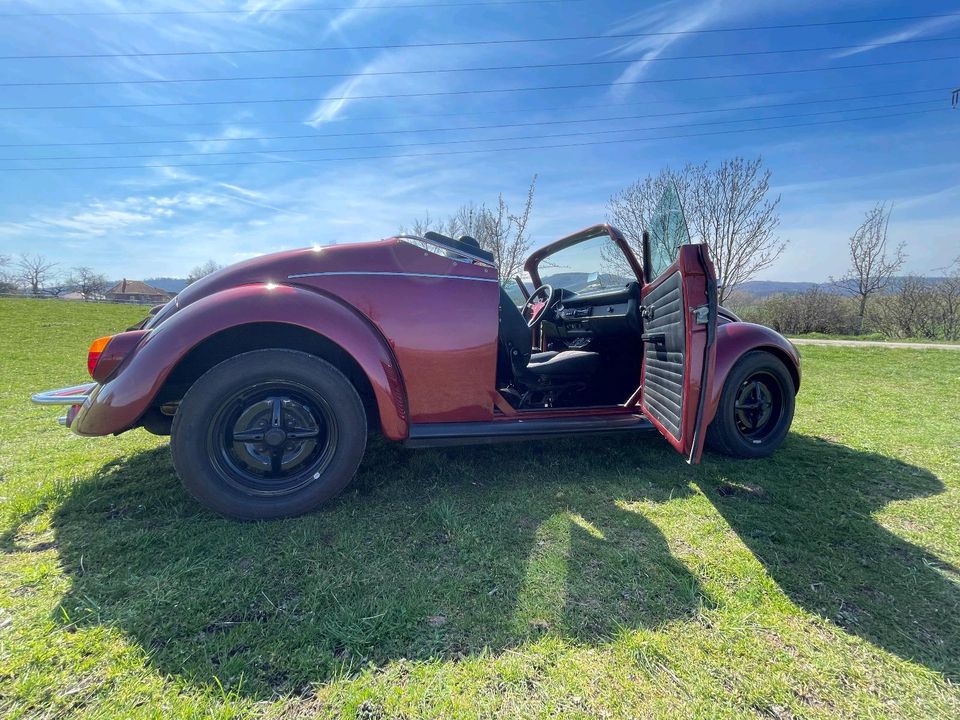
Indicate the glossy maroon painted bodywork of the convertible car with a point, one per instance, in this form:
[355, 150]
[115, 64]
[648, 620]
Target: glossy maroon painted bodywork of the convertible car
[422, 327]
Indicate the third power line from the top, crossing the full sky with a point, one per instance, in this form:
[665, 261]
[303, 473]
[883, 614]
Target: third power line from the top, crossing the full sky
[433, 71]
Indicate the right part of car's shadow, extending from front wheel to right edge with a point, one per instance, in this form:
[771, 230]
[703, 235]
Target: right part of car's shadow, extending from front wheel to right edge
[807, 514]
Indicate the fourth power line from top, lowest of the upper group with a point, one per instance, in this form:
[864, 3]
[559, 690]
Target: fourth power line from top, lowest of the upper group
[445, 93]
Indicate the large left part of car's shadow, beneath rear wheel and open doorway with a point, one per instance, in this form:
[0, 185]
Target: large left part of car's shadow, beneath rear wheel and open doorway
[431, 554]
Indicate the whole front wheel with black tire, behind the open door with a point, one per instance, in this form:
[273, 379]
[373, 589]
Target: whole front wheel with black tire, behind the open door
[756, 407]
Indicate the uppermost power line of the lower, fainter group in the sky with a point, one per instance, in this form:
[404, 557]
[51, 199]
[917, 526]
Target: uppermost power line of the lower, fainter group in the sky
[539, 123]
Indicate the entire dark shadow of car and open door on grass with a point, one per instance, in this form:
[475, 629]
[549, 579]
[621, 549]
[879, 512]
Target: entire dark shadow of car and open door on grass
[444, 554]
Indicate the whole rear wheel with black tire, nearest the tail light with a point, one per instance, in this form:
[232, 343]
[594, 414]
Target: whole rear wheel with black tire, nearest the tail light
[304, 433]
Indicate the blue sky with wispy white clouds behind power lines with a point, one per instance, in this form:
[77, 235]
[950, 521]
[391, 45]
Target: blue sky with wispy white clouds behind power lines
[142, 222]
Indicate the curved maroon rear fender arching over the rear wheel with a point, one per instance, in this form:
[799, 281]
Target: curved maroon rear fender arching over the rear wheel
[119, 404]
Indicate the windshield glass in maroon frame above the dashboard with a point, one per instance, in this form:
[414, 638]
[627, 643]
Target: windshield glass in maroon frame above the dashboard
[595, 263]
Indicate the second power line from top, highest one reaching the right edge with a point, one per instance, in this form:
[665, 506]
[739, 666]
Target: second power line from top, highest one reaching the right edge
[463, 43]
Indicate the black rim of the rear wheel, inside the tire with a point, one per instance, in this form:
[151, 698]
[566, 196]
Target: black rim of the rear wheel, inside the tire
[273, 438]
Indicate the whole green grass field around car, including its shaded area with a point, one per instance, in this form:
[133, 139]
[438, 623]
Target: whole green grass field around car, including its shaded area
[583, 578]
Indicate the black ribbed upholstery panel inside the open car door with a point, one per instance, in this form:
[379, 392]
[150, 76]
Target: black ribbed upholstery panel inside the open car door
[664, 360]
